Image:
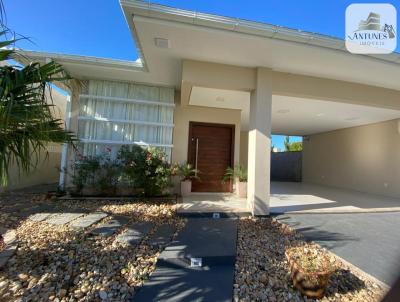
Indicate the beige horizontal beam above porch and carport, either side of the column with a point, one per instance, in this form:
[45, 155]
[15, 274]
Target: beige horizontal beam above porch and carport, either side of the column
[212, 75]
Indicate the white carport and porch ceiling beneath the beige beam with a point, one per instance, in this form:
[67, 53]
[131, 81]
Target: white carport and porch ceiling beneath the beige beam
[293, 115]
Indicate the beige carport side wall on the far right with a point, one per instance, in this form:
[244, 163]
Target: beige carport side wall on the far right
[364, 158]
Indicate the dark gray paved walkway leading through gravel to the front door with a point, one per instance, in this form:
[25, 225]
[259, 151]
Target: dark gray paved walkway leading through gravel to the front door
[197, 266]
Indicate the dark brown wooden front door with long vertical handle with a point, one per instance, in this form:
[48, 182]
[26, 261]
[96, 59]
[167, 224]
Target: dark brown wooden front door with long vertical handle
[211, 150]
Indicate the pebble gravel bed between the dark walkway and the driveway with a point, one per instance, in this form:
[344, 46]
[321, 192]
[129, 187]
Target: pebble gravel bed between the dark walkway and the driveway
[262, 272]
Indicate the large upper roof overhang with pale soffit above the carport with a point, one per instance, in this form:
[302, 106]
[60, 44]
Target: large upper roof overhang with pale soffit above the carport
[232, 41]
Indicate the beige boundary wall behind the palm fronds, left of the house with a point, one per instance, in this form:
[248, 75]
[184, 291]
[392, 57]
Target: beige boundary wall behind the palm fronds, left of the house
[48, 169]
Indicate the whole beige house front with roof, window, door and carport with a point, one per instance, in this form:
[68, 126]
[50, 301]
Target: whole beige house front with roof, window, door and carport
[212, 90]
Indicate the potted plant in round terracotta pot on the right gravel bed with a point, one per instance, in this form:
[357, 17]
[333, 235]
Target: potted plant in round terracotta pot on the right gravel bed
[310, 269]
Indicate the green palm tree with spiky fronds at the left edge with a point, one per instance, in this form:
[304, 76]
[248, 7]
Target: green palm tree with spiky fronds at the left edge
[26, 120]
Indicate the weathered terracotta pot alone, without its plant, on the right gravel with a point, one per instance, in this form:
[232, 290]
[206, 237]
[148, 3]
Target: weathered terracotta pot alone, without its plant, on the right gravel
[313, 285]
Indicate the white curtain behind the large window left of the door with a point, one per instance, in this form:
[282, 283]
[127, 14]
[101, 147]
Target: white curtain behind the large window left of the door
[97, 124]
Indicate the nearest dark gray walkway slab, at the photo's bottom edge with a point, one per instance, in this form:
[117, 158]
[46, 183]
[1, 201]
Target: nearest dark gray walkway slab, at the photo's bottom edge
[170, 282]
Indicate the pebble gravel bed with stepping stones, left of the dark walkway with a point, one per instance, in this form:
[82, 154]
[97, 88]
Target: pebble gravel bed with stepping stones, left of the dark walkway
[58, 263]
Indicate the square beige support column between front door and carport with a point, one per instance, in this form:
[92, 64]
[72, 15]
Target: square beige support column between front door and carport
[259, 153]
